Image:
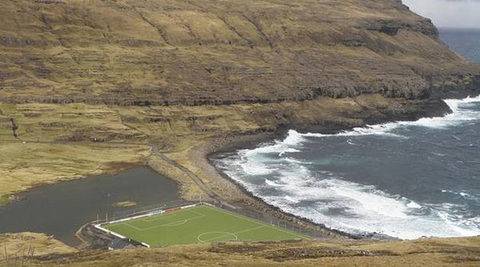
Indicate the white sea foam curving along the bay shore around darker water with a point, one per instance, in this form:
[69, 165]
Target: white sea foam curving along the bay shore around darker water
[345, 205]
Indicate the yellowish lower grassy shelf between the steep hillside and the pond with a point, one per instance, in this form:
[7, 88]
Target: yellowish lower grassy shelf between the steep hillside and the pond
[58, 142]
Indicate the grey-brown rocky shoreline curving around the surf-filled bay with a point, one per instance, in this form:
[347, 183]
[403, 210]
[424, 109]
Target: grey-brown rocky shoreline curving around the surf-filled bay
[224, 191]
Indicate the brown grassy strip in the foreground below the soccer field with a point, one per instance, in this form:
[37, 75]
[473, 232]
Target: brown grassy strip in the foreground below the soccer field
[425, 252]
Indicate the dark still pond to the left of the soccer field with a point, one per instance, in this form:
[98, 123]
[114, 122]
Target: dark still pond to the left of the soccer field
[61, 209]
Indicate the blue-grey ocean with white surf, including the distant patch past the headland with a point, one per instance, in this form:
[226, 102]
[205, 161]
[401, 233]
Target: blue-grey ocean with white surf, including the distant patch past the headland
[400, 179]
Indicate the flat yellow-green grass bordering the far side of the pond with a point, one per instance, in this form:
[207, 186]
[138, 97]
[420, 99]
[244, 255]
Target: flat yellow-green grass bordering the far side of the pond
[25, 165]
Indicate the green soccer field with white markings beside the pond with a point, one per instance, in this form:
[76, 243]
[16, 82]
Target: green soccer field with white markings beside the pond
[198, 224]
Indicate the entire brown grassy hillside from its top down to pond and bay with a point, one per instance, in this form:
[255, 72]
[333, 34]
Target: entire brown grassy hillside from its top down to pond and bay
[137, 74]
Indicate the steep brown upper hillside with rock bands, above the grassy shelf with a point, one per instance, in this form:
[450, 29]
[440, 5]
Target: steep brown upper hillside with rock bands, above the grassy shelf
[195, 52]
